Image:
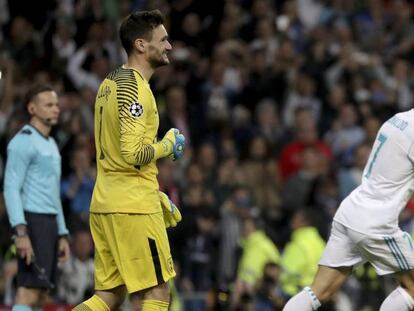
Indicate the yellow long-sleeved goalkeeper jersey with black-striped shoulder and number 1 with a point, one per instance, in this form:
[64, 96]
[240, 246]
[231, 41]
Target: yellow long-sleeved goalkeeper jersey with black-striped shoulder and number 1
[126, 124]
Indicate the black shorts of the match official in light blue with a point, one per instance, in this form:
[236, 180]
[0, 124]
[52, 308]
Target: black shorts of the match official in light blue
[43, 233]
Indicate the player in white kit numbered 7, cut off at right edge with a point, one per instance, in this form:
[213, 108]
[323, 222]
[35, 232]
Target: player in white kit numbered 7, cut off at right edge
[365, 226]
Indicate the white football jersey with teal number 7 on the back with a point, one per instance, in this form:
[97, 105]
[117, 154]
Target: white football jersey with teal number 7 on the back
[387, 182]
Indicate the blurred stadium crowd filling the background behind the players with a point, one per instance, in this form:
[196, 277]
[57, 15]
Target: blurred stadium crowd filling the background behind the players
[280, 102]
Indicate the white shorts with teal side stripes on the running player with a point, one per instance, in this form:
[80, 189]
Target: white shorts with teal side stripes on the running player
[387, 254]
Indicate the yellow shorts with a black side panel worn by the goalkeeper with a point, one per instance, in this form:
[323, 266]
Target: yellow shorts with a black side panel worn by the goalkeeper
[130, 249]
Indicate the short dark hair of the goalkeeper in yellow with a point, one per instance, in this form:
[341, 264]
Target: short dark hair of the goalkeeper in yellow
[139, 25]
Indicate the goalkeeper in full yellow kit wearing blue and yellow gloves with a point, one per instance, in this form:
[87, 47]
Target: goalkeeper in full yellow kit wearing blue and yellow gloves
[129, 215]
